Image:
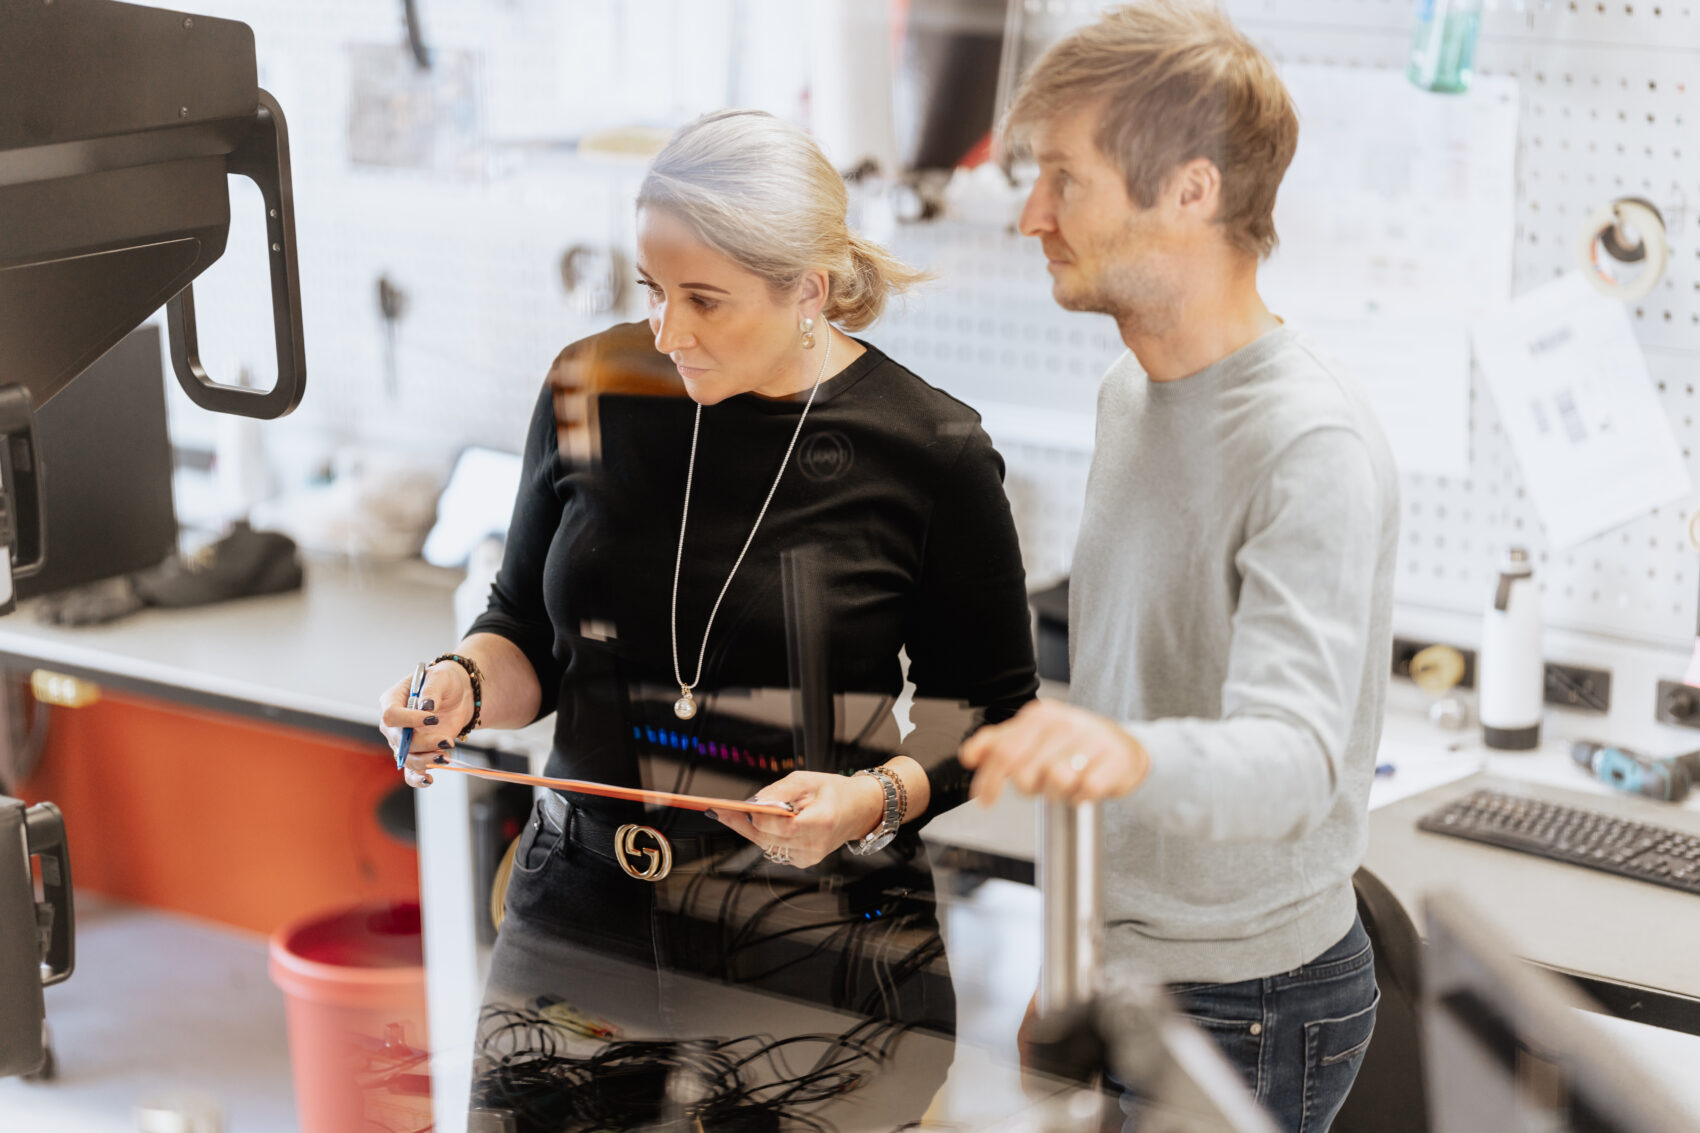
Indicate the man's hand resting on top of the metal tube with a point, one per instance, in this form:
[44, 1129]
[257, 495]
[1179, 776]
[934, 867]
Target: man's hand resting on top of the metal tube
[1057, 751]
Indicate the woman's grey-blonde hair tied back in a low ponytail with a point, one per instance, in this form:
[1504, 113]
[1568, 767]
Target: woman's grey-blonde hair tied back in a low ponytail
[761, 193]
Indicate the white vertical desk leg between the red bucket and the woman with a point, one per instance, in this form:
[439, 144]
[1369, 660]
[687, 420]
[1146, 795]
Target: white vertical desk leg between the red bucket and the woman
[453, 986]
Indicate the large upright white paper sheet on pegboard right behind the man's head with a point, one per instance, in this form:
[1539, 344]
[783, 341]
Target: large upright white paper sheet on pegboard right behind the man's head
[1398, 229]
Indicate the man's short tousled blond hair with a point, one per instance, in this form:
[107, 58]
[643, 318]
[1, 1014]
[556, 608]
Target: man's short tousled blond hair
[1177, 81]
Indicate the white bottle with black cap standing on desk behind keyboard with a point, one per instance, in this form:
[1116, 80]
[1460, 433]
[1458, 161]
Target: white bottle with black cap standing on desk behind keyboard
[1512, 671]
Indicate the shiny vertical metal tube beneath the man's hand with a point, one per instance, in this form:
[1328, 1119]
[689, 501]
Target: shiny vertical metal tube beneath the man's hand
[1070, 884]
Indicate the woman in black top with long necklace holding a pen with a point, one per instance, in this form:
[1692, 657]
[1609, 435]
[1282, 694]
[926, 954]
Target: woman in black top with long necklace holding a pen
[645, 593]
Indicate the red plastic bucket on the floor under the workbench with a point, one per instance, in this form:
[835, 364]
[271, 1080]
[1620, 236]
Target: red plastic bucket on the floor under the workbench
[354, 989]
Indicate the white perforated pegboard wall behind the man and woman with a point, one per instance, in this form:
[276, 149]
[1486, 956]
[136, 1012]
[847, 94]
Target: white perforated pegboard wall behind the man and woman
[1611, 98]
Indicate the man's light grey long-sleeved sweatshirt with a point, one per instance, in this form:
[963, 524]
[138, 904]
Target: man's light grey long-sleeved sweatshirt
[1232, 605]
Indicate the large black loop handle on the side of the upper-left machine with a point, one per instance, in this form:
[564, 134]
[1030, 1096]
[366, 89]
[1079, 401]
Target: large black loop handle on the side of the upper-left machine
[264, 159]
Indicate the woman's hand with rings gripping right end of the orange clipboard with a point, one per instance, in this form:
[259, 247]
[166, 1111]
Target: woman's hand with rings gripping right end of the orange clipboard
[830, 811]
